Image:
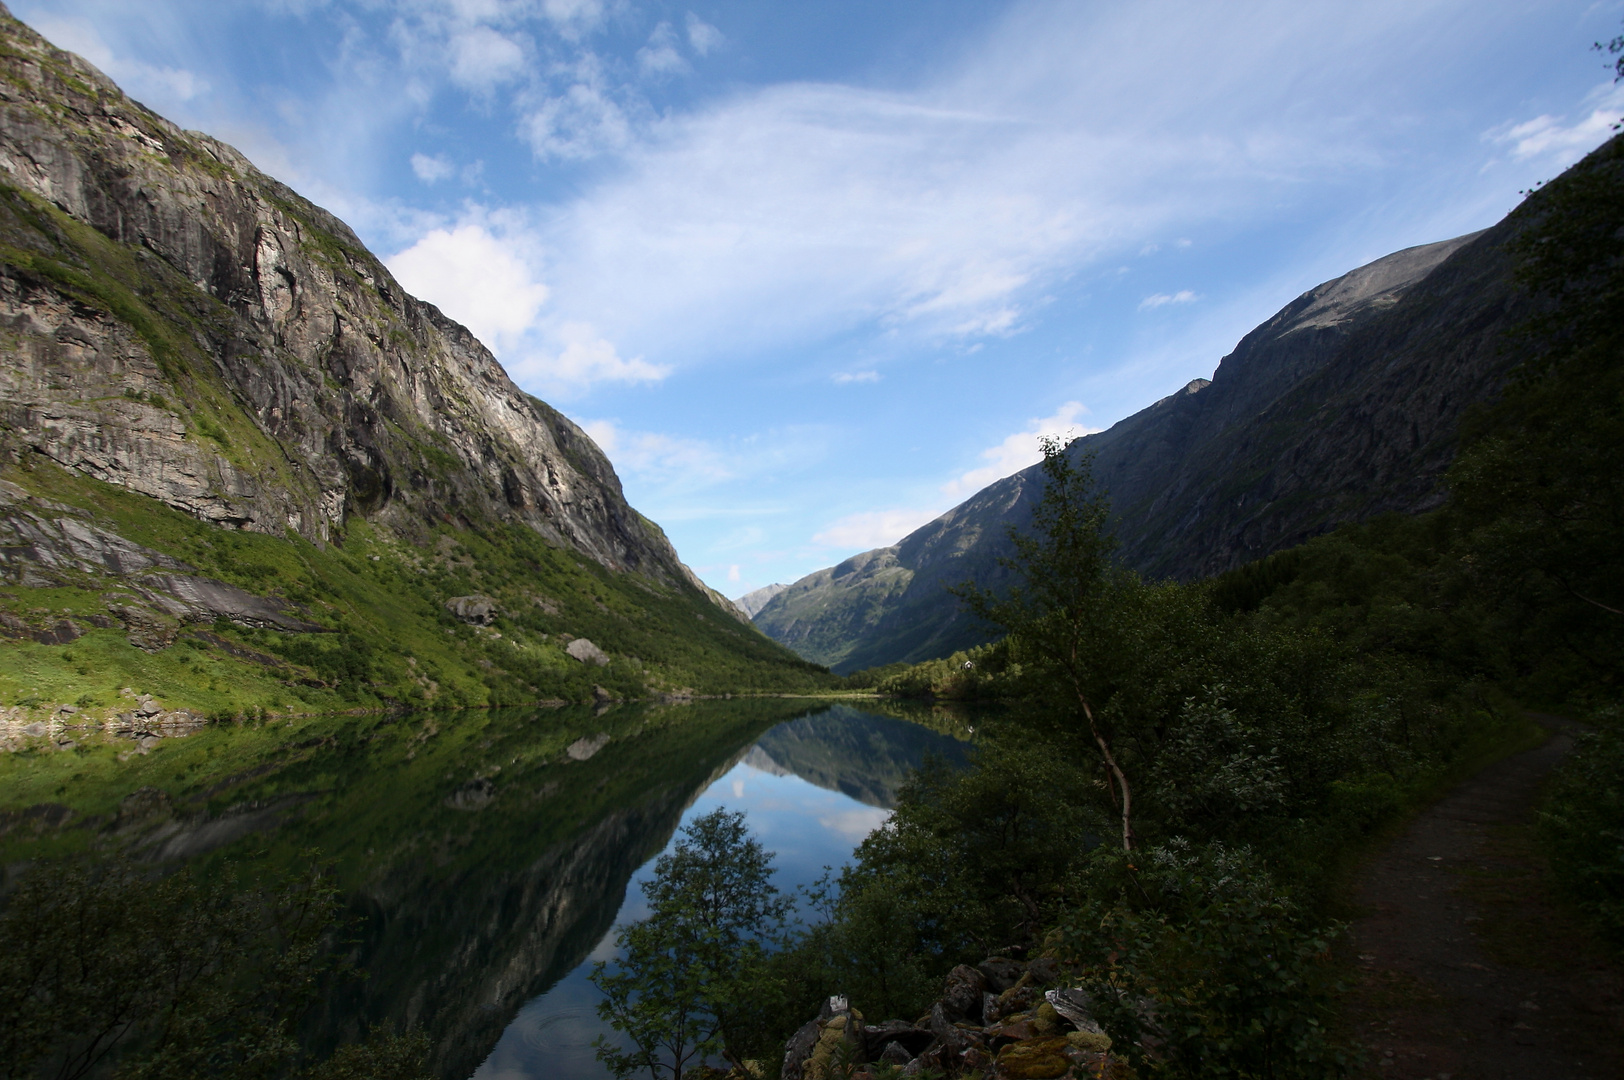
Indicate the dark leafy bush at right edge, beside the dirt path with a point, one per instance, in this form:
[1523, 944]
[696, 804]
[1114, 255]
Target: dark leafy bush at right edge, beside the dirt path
[1583, 823]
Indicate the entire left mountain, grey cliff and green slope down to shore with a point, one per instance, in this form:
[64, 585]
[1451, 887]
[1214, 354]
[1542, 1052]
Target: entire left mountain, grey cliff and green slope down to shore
[181, 327]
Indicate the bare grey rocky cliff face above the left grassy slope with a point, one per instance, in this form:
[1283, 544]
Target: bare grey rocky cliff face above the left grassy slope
[179, 324]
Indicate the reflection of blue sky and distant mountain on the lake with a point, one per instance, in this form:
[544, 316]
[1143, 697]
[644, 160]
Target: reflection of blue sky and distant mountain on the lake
[813, 788]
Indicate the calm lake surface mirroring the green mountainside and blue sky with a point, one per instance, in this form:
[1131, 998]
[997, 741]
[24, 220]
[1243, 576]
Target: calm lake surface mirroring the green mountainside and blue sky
[488, 853]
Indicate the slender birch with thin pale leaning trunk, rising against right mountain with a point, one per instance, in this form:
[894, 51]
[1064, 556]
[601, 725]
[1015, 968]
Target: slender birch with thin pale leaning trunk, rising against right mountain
[1073, 607]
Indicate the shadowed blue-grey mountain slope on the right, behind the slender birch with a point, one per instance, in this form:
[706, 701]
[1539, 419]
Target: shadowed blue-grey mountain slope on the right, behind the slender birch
[1341, 407]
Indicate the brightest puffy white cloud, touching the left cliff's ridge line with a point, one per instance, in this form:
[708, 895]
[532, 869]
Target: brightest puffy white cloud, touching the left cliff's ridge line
[475, 279]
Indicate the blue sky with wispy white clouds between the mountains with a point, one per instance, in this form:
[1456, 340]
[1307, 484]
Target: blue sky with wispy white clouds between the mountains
[814, 272]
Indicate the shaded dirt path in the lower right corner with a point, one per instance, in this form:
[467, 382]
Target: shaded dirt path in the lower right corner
[1466, 967]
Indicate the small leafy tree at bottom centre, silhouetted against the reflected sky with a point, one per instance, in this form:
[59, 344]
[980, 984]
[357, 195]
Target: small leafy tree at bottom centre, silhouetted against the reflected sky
[691, 980]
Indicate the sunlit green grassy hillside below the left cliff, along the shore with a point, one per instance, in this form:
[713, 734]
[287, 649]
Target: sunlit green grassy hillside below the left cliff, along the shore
[387, 637]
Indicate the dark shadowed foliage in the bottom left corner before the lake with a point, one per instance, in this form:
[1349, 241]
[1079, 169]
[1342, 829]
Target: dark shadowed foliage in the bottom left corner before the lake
[171, 978]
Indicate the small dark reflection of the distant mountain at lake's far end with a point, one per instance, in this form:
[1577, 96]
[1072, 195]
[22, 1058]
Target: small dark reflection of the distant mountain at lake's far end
[863, 756]
